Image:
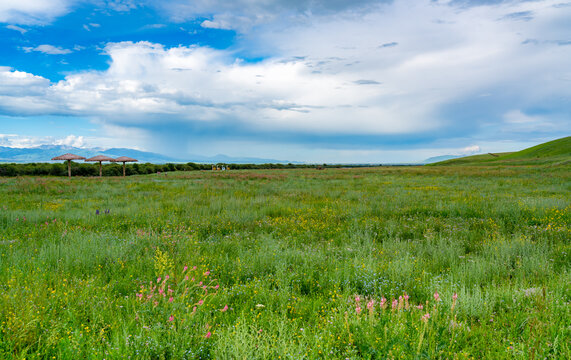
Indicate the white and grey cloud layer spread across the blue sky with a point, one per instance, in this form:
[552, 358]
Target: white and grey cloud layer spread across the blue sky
[457, 71]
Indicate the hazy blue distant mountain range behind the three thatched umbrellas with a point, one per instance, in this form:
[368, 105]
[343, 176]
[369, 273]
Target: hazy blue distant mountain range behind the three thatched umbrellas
[44, 153]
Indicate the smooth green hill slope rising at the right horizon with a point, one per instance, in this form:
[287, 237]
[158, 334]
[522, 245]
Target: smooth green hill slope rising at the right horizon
[550, 153]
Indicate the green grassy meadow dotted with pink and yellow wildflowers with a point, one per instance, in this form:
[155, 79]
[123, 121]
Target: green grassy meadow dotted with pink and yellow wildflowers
[370, 263]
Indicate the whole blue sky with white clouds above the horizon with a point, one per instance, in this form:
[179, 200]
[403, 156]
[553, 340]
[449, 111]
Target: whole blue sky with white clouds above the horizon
[336, 81]
